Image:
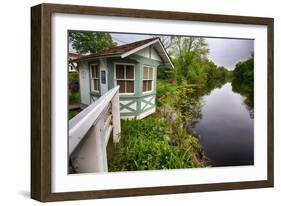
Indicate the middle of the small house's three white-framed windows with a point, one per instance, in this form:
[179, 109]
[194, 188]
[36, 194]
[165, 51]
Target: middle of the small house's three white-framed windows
[125, 78]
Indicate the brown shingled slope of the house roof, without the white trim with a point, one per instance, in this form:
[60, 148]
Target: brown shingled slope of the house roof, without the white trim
[117, 50]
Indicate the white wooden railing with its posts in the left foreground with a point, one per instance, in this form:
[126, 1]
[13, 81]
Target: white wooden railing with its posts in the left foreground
[89, 132]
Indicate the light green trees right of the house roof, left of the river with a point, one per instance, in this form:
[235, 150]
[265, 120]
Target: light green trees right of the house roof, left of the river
[192, 65]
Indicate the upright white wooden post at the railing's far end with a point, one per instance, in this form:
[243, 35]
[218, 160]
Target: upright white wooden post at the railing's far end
[116, 122]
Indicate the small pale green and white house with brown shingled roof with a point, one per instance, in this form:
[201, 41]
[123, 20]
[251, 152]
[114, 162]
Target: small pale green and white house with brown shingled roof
[131, 66]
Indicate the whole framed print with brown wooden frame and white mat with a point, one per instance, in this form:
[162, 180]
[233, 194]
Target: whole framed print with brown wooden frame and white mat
[130, 102]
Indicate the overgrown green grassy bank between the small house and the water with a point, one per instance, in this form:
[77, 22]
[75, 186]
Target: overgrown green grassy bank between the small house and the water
[160, 141]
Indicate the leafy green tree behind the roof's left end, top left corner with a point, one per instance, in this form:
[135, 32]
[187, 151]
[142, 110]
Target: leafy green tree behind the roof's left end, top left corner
[90, 42]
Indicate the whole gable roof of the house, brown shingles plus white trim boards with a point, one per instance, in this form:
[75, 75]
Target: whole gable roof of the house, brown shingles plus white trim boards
[128, 49]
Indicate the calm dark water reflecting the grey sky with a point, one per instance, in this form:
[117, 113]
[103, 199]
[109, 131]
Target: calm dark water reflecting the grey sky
[226, 128]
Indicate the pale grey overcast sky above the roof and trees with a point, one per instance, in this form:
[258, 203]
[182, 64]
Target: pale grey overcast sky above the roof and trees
[223, 52]
